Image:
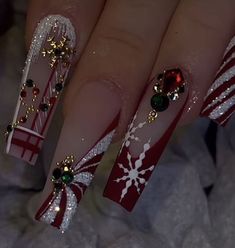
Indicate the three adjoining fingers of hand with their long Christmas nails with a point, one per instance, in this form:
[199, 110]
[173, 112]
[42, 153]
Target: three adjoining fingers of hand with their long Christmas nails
[119, 46]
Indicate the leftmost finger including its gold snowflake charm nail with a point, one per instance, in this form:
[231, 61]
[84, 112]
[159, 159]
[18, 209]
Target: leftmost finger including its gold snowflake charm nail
[56, 40]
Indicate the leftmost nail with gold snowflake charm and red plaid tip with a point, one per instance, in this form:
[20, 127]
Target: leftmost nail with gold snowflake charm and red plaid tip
[47, 66]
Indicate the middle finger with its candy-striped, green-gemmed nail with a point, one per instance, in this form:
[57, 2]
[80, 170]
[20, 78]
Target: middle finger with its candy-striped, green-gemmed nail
[111, 76]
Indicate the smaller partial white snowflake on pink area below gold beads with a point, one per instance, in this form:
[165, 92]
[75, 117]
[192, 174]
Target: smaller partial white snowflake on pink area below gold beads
[130, 135]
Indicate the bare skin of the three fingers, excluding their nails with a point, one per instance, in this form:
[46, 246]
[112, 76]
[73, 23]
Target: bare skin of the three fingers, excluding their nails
[124, 42]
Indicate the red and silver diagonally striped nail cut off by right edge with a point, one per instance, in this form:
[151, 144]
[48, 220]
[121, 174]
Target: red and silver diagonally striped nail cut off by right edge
[219, 103]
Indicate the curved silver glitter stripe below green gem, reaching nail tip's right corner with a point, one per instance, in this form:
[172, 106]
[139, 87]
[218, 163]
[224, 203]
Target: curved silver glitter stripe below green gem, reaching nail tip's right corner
[71, 207]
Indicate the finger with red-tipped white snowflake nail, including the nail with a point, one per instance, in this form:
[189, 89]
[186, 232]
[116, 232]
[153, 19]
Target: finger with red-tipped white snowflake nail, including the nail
[194, 41]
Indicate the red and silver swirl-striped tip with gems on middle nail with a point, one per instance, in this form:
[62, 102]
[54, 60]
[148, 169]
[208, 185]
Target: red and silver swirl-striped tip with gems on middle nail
[70, 180]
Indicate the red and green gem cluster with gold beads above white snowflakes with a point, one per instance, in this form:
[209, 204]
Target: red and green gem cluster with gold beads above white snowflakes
[167, 87]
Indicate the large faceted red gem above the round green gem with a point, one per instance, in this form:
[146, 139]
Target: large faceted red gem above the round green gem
[172, 79]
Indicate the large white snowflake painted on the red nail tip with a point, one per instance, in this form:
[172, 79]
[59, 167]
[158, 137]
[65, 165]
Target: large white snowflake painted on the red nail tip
[133, 175]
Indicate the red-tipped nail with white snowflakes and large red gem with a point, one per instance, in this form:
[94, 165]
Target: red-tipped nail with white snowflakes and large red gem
[148, 134]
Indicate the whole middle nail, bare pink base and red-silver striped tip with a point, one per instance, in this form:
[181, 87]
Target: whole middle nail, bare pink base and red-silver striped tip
[84, 139]
